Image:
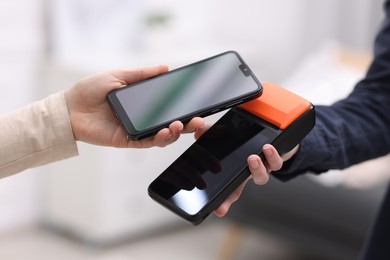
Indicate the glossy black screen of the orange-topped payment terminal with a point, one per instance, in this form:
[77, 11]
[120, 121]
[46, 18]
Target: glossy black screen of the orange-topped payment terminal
[211, 163]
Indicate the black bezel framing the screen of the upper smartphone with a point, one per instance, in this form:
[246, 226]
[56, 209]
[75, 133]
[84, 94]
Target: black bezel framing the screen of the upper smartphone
[134, 134]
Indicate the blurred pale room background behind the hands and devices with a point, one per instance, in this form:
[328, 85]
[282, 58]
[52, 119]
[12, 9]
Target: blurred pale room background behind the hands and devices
[95, 206]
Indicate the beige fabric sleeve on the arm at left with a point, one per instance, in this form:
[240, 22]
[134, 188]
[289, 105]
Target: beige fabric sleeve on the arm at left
[35, 135]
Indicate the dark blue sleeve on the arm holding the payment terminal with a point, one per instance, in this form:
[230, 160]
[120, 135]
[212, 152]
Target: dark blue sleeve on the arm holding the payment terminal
[354, 129]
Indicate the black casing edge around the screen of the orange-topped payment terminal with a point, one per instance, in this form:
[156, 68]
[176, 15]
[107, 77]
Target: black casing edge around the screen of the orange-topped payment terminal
[284, 140]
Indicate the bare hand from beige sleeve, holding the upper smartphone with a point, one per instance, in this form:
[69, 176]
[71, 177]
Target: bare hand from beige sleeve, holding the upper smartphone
[94, 122]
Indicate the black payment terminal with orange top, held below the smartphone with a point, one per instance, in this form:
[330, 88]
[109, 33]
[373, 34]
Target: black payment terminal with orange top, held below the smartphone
[197, 182]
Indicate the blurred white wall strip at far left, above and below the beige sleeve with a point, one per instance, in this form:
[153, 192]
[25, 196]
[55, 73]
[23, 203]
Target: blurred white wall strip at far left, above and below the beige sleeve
[21, 49]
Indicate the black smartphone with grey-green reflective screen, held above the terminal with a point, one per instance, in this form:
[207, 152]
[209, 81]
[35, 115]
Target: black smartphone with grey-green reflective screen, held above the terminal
[199, 89]
